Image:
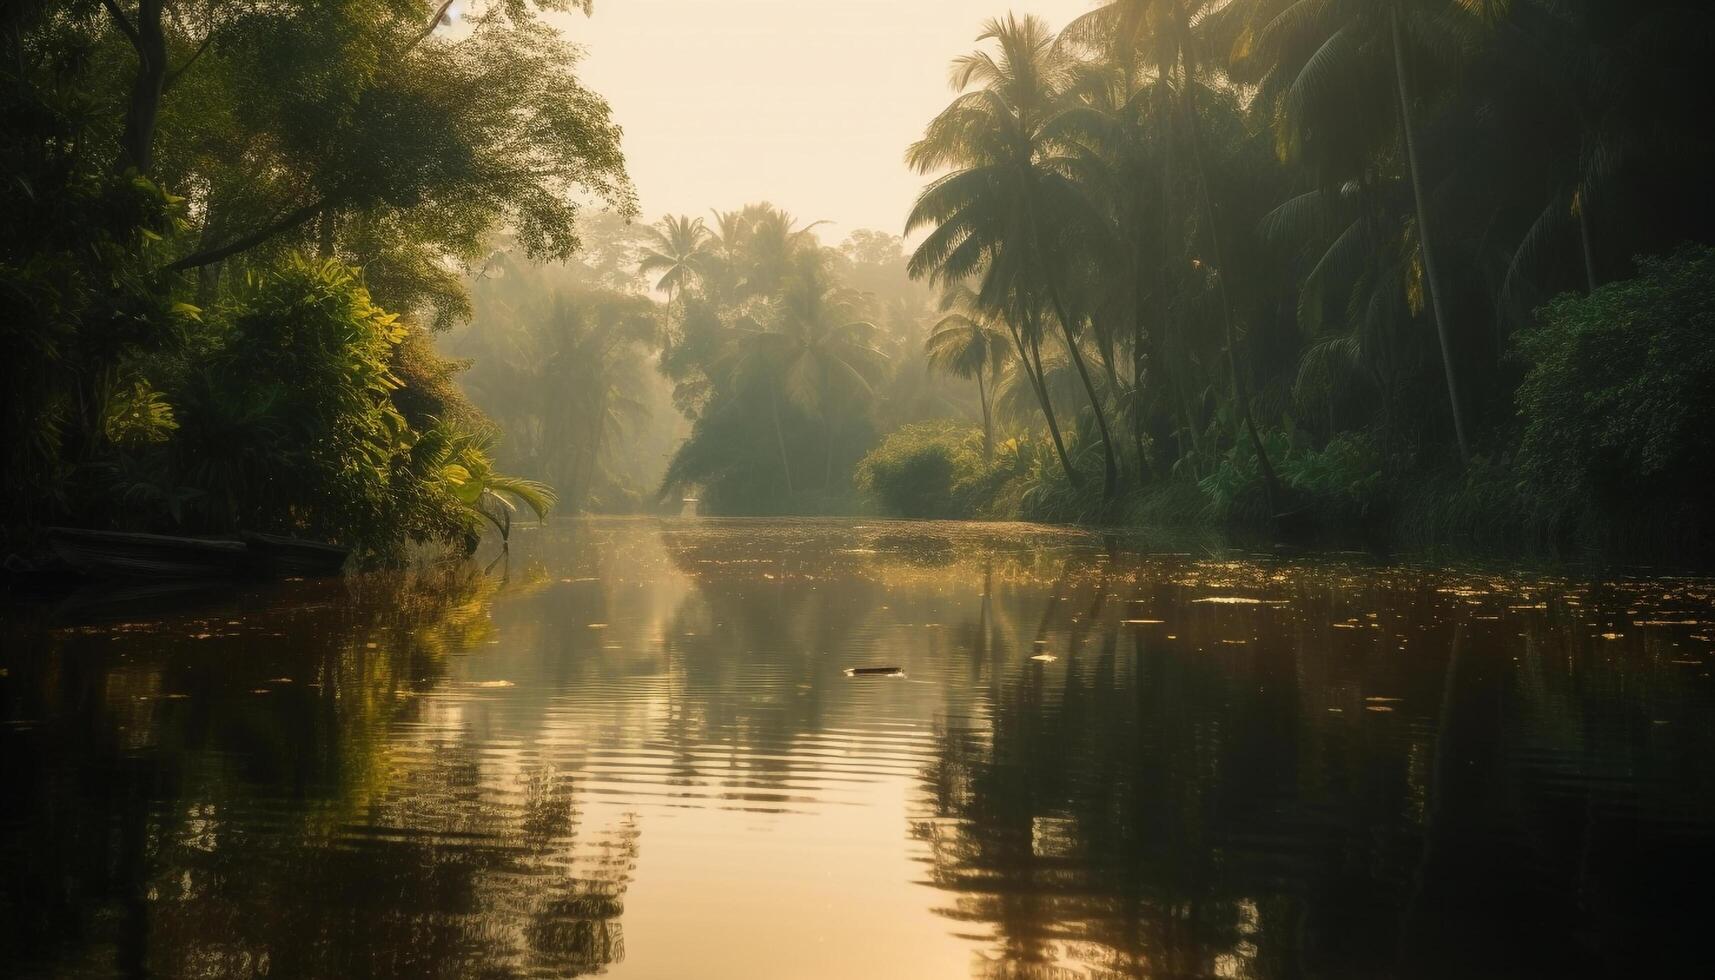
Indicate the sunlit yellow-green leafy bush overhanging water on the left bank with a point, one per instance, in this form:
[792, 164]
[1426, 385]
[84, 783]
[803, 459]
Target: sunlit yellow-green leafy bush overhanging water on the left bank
[294, 425]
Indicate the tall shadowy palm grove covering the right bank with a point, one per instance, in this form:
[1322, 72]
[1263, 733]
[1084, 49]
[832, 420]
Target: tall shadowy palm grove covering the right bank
[1280, 250]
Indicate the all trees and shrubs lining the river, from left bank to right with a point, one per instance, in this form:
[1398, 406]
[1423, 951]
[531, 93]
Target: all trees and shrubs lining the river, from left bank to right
[1414, 272]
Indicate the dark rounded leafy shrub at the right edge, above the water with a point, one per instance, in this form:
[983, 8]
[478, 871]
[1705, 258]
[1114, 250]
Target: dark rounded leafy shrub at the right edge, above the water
[1620, 397]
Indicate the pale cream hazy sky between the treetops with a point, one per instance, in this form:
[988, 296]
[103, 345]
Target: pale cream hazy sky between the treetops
[807, 104]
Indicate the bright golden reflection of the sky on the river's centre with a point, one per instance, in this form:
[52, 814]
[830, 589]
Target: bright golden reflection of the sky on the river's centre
[766, 850]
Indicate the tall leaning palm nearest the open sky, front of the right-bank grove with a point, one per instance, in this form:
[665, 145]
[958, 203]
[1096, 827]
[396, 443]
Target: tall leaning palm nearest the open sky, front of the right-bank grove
[1009, 203]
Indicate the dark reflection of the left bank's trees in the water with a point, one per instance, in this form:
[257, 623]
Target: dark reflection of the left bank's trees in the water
[270, 789]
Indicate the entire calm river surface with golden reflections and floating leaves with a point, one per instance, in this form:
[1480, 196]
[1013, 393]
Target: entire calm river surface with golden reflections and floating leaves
[632, 749]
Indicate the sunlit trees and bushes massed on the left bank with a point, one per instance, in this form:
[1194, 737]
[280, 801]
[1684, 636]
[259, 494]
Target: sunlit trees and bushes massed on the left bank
[176, 361]
